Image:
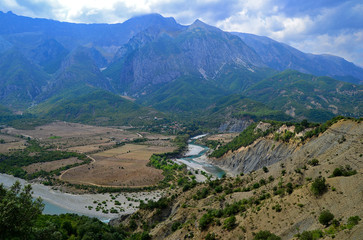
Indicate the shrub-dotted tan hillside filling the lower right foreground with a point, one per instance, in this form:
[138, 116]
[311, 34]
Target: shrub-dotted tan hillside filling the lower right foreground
[286, 199]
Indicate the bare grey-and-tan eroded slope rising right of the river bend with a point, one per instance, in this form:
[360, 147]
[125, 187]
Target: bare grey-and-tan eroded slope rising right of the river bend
[266, 151]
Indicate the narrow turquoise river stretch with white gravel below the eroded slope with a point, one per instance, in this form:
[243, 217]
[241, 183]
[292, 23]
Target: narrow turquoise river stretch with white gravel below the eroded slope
[195, 158]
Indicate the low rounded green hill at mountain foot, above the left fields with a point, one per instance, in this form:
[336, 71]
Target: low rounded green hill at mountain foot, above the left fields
[94, 106]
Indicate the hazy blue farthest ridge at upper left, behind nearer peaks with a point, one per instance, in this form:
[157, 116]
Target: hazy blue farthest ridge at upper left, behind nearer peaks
[27, 33]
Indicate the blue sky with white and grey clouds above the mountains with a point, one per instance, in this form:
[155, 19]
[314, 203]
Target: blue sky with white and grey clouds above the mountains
[314, 26]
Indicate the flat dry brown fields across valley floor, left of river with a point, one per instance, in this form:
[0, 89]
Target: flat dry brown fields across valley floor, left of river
[122, 166]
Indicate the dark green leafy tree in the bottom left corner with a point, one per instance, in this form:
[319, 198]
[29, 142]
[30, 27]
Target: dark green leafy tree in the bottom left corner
[18, 211]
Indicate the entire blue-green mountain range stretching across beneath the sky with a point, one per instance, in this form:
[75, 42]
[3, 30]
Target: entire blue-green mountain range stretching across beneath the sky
[190, 71]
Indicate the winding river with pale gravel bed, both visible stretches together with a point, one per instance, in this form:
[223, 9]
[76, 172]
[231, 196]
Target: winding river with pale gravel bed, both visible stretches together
[57, 202]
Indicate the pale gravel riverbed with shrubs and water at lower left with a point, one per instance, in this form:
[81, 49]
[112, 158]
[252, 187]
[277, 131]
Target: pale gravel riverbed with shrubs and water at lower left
[85, 204]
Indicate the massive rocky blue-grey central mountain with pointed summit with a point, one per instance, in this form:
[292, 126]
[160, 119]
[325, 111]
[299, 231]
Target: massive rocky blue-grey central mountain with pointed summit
[160, 56]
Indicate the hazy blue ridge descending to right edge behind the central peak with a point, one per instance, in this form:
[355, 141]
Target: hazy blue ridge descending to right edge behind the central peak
[280, 56]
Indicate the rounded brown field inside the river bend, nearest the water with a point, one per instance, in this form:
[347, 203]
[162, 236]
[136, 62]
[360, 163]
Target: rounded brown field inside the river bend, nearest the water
[123, 166]
